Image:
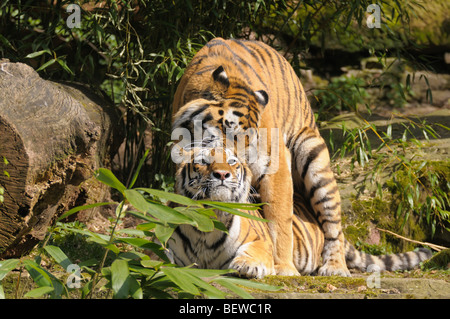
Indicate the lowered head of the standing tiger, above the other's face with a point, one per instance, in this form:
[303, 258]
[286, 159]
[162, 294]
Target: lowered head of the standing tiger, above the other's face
[222, 105]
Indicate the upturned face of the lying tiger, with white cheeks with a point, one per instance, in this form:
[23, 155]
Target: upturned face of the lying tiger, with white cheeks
[215, 174]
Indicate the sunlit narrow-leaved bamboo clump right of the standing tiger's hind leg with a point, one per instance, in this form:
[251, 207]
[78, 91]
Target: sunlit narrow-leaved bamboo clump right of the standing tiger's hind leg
[419, 188]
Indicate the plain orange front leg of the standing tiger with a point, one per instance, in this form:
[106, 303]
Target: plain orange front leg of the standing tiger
[276, 189]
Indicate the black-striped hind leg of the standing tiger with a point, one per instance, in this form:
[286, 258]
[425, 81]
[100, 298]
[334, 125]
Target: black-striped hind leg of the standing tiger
[313, 177]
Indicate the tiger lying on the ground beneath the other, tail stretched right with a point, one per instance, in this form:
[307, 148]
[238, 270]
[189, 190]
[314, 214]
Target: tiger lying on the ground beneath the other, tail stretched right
[217, 174]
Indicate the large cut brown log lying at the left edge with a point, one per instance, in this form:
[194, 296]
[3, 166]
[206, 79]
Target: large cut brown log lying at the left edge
[53, 137]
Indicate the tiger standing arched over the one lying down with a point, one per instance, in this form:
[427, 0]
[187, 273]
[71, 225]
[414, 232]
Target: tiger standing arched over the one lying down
[239, 86]
